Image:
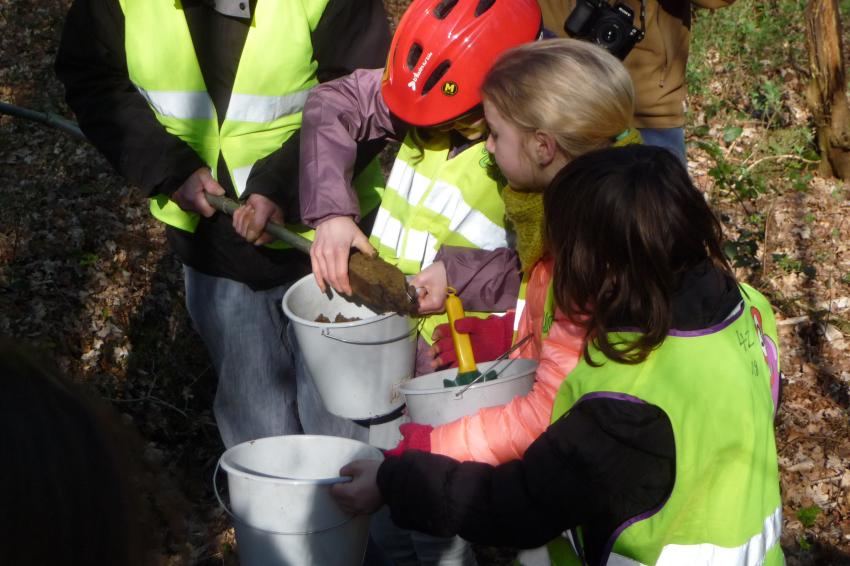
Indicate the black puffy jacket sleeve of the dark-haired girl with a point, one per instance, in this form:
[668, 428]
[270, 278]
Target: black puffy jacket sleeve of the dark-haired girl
[604, 461]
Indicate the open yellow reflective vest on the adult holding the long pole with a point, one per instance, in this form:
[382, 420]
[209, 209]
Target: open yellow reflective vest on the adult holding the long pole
[275, 74]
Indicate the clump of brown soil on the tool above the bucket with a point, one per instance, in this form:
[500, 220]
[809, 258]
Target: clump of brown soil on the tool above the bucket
[380, 286]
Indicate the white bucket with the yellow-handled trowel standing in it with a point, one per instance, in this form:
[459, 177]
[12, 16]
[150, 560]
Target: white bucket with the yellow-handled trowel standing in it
[428, 402]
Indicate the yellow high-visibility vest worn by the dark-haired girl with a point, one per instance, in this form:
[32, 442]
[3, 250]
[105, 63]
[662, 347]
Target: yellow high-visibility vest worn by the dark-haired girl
[715, 386]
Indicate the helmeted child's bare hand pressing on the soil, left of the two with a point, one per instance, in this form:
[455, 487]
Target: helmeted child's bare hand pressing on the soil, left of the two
[329, 254]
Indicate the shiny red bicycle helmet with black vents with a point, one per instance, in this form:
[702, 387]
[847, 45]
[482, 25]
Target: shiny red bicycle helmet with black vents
[442, 50]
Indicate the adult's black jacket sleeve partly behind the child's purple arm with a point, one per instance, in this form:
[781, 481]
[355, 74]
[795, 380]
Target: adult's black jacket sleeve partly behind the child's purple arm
[352, 34]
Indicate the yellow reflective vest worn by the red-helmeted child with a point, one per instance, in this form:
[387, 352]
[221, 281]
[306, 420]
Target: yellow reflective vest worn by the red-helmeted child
[431, 201]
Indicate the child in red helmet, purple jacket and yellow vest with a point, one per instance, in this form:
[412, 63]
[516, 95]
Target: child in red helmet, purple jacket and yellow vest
[443, 189]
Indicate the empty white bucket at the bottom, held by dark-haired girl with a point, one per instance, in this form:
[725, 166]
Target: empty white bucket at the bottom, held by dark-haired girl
[281, 504]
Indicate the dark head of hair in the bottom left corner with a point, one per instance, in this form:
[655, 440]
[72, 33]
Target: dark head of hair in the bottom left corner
[64, 491]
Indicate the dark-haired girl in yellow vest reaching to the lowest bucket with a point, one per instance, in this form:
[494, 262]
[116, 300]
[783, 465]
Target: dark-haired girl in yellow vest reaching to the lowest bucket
[661, 448]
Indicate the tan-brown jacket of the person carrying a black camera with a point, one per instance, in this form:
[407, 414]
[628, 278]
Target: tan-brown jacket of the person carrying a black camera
[656, 64]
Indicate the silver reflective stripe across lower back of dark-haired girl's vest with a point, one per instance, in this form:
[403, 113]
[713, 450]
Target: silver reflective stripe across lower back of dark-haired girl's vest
[751, 553]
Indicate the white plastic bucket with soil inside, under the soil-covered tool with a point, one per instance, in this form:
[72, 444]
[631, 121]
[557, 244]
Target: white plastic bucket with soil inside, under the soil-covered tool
[357, 366]
